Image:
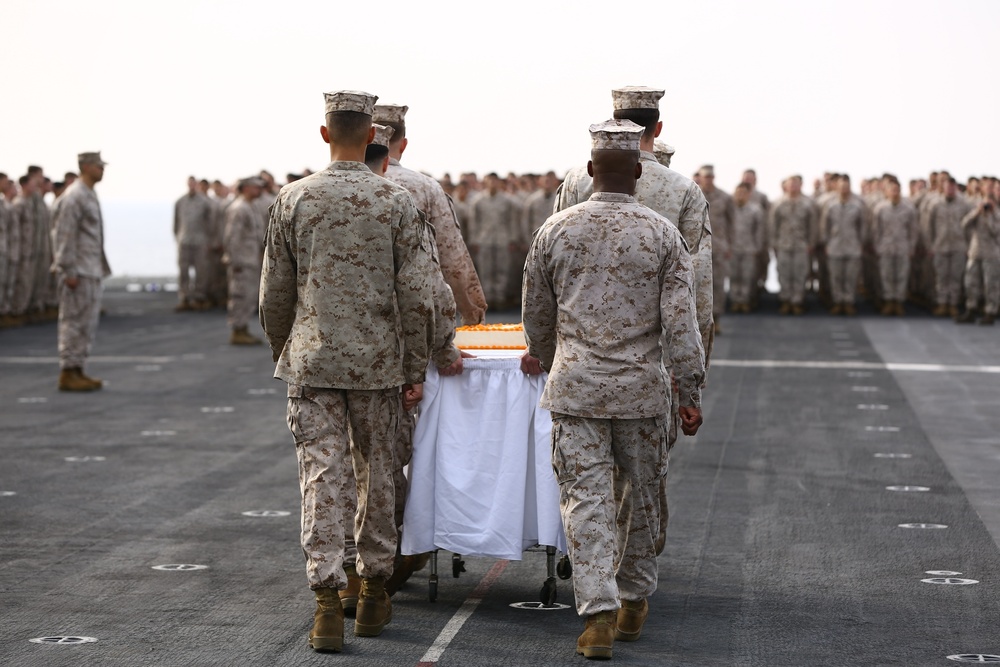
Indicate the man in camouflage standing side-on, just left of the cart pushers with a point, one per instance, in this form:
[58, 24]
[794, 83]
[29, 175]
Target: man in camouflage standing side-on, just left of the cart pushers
[242, 244]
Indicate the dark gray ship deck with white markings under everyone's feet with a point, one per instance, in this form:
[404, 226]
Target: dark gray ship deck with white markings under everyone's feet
[784, 544]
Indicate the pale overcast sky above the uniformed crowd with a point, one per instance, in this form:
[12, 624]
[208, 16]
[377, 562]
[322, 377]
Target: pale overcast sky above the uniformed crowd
[222, 89]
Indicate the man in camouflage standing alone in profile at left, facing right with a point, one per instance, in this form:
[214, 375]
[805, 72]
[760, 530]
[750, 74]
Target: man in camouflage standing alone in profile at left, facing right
[80, 265]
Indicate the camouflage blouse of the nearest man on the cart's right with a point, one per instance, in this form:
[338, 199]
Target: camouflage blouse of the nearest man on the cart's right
[603, 281]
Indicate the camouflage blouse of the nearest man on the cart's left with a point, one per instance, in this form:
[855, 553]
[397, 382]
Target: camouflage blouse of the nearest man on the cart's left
[344, 248]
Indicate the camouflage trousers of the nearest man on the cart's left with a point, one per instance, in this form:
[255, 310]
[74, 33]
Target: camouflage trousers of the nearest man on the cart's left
[344, 442]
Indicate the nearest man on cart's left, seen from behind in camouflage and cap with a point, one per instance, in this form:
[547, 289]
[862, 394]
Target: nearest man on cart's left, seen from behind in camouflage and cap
[347, 306]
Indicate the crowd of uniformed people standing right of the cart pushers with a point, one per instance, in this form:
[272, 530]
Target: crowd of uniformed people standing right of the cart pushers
[938, 248]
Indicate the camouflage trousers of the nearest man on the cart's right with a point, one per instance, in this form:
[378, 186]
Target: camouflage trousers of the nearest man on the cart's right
[587, 455]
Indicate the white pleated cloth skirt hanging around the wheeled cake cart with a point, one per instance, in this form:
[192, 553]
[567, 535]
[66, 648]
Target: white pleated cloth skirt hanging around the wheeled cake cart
[481, 481]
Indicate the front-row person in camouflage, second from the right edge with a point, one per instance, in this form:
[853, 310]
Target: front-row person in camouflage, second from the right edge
[948, 249]
